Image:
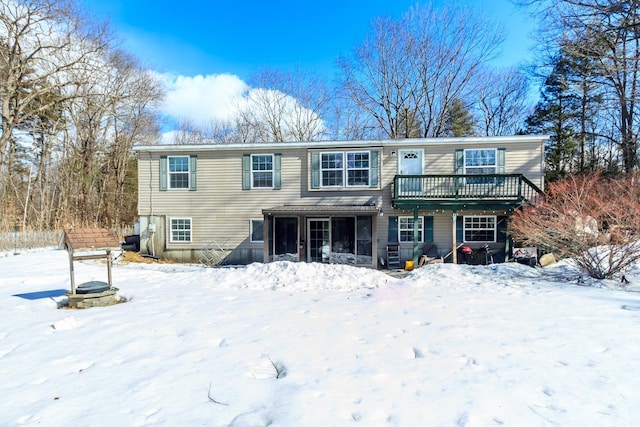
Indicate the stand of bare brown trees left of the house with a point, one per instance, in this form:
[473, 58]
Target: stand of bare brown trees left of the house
[72, 106]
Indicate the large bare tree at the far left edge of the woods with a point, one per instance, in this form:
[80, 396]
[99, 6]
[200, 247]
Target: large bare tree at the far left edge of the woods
[44, 45]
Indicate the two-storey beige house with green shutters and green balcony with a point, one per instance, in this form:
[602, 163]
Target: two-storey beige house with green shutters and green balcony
[334, 201]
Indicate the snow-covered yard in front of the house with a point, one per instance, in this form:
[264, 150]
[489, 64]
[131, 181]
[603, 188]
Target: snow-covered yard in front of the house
[287, 344]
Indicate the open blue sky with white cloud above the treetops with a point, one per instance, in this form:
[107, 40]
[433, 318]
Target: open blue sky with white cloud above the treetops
[206, 50]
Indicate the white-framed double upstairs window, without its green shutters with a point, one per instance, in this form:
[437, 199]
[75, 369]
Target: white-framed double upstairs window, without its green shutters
[355, 173]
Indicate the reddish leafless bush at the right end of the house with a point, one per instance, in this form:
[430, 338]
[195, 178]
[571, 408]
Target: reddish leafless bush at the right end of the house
[595, 221]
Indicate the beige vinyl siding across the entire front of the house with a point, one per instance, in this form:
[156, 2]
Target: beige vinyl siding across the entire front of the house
[221, 210]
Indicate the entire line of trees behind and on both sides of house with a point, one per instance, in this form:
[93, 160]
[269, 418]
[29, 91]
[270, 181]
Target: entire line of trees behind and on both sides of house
[73, 103]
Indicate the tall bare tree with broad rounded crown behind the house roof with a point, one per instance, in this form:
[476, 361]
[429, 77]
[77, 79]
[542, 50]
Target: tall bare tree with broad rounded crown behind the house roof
[417, 66]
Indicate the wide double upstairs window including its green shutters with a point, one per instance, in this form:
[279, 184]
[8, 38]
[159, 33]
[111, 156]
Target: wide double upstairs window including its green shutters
[344, 169]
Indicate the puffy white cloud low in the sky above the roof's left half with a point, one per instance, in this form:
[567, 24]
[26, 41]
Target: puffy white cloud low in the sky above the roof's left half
[202, 98]
